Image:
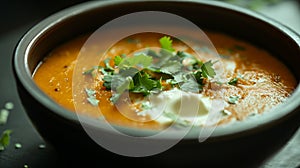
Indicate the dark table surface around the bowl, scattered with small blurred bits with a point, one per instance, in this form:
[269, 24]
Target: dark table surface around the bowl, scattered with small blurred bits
[16, 18]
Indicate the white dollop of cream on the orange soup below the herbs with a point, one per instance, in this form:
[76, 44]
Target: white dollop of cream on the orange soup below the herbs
[187, 106]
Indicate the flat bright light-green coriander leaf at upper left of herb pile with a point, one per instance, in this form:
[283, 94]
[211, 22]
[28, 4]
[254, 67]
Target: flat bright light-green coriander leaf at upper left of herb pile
[139, 61]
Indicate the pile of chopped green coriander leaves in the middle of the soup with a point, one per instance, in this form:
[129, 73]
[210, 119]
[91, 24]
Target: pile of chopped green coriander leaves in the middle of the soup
[145, 72]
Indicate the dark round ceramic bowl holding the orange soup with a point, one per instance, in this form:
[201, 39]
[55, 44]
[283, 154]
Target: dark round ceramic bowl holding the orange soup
[248, 143]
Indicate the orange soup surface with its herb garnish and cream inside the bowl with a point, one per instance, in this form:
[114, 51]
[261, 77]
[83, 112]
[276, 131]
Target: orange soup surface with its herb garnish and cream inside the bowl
[151, 80]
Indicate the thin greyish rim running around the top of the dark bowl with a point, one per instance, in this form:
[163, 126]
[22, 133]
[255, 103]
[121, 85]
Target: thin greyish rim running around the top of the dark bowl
[22, 73]
